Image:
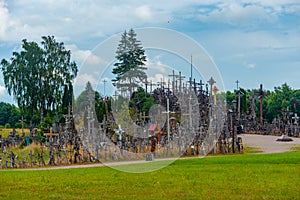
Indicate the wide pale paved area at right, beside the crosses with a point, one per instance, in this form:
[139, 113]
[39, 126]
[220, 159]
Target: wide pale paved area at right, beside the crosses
[268, 144]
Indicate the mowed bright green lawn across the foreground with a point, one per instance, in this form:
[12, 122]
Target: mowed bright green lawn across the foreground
[272, 176]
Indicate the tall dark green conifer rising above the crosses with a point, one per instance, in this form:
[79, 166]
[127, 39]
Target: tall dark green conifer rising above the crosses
[130, 66]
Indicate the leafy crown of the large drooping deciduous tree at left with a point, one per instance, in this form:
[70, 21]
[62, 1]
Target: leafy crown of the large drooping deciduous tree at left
[36, 75]
